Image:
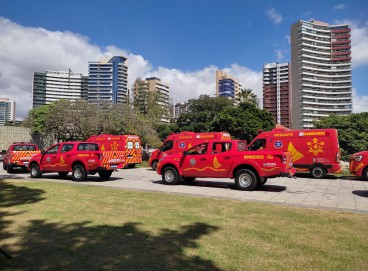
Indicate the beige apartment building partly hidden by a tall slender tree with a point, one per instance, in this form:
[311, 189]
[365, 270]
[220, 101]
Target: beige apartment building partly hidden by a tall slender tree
[142, 90]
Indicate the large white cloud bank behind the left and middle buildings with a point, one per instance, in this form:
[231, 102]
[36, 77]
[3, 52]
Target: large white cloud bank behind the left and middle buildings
[25, 50]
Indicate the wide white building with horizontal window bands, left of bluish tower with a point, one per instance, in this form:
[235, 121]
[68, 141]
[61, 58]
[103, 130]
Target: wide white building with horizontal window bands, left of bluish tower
[52, 86]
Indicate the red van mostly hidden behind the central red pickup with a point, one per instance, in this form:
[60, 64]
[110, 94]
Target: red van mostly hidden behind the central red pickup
[183, 141]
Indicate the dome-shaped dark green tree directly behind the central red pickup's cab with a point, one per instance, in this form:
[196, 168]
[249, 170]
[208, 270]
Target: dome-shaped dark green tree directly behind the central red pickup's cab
[243, 122]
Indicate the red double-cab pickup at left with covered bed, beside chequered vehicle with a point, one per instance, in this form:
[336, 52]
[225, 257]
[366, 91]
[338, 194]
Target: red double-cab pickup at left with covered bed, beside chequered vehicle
[80, 158]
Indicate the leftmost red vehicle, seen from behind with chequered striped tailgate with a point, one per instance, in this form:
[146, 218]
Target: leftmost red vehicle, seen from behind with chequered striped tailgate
[18, 155]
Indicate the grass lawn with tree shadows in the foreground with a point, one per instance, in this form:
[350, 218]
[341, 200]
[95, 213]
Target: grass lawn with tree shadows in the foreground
[54, 226]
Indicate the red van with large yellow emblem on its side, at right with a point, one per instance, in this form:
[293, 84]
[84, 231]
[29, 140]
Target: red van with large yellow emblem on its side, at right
[314, 151]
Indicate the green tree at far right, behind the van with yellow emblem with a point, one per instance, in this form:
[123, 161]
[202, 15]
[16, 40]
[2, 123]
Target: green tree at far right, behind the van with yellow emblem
[352, 132]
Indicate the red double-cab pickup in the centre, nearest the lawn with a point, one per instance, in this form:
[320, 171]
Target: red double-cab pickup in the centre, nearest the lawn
[225, 159]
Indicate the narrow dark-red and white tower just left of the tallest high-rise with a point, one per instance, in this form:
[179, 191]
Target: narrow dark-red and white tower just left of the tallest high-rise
[276, 92]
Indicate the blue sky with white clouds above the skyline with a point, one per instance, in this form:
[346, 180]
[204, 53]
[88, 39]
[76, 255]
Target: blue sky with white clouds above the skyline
[181, 42]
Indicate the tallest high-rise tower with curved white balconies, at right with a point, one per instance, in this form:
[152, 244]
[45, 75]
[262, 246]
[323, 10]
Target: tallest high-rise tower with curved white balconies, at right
[320, 72]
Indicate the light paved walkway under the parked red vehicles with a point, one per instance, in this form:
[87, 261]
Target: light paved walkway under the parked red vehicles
[343, 194]
